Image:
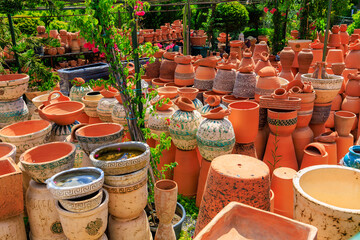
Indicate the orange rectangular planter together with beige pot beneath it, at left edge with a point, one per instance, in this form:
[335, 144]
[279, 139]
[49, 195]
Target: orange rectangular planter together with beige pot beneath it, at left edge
[12, 226]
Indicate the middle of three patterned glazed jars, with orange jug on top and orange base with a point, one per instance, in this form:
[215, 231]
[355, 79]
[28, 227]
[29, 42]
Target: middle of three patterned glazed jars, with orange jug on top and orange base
[184, 124]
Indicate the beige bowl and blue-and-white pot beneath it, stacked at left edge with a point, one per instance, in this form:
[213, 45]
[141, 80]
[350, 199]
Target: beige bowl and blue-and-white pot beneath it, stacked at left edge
[12, 106]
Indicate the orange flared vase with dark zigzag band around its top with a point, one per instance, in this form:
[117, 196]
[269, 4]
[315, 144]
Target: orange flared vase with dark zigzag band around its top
[280, 150]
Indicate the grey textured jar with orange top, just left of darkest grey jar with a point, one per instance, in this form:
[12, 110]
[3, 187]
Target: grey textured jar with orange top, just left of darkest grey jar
[225, 79]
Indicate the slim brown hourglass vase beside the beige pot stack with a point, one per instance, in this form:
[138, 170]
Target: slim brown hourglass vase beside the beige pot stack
[165, 194]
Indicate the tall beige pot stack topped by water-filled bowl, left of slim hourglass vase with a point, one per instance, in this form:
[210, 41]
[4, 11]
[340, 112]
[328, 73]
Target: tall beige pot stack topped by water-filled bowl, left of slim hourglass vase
[125, 166]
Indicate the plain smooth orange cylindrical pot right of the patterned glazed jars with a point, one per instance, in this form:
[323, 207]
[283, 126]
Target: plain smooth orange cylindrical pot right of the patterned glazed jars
[241, 113]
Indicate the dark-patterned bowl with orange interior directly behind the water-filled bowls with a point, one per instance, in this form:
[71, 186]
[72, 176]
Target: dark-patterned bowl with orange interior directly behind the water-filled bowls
[95, 135]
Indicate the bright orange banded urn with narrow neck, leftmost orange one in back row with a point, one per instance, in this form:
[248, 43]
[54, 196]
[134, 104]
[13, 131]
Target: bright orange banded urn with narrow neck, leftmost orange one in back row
[184, 71]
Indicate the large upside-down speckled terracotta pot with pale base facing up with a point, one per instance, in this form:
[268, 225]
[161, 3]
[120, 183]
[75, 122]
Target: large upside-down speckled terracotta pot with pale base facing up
[248, 182]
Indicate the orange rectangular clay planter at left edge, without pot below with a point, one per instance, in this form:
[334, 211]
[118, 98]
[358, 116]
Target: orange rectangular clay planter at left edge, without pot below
[11, 197]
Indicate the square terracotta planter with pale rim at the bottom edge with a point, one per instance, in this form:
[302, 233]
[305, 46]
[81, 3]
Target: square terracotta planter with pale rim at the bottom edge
[240, 221]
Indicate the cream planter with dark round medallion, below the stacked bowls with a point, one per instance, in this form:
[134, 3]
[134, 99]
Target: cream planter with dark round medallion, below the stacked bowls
[89, 225]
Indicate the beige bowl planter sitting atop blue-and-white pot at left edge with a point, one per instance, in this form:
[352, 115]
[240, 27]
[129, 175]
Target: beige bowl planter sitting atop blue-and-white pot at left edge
[13, 86]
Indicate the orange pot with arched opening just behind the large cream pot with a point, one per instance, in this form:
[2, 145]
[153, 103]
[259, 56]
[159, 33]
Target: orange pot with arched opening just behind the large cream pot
[314, 154]
